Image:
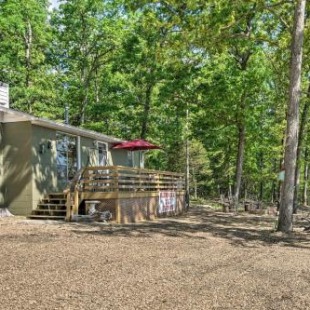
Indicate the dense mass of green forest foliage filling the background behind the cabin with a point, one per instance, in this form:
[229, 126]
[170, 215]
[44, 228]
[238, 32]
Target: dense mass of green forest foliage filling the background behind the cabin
[135, 68]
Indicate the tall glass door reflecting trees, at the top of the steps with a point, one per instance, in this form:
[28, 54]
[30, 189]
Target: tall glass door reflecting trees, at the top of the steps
[66, 159]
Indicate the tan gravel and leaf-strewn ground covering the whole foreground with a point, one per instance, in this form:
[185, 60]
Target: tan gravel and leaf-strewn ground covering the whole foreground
[200, 260]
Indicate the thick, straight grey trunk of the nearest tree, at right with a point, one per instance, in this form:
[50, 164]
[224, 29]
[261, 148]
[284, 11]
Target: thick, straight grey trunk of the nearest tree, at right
[285, 223]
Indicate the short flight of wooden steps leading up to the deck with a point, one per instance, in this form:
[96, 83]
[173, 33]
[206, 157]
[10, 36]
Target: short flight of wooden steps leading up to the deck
[52, 207]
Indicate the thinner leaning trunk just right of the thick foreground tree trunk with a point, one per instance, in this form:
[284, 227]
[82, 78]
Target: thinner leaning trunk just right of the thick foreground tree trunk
[301, 134]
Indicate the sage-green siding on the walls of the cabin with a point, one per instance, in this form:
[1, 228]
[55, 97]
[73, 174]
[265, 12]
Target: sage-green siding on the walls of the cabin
[28, 171]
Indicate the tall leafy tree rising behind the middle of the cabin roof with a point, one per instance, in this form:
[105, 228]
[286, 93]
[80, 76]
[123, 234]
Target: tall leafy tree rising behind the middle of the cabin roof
[86, 33]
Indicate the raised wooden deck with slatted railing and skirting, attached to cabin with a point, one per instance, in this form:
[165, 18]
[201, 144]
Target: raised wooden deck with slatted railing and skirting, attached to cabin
[113, 185]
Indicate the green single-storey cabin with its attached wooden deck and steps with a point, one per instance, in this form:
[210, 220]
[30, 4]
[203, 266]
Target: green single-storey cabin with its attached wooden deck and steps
[54, 170]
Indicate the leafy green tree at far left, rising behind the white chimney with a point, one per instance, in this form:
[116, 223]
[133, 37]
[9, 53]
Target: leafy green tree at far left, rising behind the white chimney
[24, 40]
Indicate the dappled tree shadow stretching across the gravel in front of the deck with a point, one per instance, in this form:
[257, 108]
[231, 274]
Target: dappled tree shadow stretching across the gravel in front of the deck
[201, 223]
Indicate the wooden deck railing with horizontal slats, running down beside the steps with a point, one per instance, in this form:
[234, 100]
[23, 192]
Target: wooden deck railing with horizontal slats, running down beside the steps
[102, 182]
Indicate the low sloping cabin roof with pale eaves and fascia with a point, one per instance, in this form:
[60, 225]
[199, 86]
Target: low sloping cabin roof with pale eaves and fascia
[13, 116]
